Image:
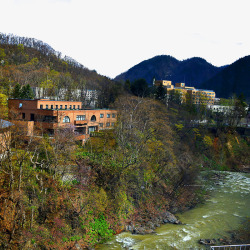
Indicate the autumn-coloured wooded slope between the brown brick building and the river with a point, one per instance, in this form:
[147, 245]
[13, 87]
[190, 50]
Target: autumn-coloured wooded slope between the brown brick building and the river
[56, 194]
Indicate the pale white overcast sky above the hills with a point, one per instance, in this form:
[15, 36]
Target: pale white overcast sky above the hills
[111, 36]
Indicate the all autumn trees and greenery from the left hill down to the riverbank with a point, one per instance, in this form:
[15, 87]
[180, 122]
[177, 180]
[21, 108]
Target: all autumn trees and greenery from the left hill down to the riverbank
[57, 194]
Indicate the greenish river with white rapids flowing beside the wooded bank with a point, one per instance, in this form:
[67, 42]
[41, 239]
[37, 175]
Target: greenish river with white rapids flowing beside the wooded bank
[225, 210]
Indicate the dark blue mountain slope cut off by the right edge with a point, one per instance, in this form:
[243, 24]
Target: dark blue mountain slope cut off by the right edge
[234, 79]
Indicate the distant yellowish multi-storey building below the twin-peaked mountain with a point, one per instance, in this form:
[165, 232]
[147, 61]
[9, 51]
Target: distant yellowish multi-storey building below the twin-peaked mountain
[198, 96]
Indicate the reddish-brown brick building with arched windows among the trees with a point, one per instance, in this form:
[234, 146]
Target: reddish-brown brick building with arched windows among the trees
[47, 116]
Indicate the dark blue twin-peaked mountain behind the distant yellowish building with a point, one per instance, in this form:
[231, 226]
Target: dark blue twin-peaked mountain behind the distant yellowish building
[193, 71]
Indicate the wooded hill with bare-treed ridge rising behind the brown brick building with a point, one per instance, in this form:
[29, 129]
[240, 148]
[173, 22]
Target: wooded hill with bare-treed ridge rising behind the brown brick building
[27, 61]
